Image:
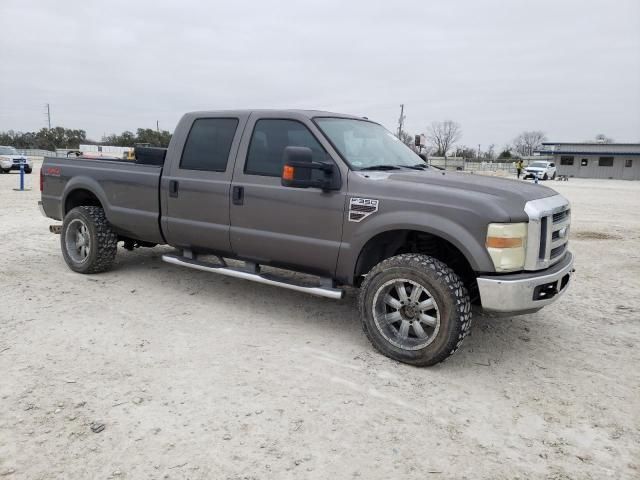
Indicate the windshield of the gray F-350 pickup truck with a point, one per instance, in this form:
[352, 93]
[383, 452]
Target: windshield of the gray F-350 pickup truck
[367, 145]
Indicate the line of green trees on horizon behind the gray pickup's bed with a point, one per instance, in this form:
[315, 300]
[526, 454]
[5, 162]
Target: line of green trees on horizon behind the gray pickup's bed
[60, 137]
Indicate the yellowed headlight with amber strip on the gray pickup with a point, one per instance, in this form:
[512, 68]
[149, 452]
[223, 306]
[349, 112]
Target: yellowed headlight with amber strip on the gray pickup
[507, 243]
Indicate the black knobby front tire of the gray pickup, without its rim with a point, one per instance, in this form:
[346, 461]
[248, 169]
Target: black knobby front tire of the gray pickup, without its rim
[448, 292]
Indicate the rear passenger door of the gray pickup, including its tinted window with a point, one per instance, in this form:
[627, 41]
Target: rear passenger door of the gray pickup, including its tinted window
[196, 183]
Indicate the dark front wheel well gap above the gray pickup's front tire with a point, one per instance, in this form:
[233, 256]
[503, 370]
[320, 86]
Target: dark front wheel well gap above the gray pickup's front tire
[396, 242]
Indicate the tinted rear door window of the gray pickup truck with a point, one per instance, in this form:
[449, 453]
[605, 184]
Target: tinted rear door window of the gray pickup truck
[208, 144]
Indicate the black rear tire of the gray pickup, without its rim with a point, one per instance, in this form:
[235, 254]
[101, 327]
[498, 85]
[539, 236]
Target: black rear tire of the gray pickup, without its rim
[103, 241]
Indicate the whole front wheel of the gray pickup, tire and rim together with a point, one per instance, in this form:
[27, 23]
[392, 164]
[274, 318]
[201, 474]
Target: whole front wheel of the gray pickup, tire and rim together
[415, 309]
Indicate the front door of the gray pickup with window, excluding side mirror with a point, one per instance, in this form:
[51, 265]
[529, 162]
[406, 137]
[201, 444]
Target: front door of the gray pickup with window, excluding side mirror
[300, 228]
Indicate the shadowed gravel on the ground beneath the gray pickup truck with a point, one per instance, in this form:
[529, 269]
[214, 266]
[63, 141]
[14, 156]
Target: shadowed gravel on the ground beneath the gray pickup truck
[493, 342]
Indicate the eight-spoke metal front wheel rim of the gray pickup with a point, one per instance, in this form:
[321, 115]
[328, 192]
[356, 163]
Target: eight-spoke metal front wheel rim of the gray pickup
[406, 314]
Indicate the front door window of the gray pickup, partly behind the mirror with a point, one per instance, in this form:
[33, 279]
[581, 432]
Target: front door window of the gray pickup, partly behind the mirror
[269, 139]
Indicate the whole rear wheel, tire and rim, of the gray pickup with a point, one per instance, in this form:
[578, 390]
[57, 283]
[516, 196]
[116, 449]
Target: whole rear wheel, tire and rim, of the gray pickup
[88, 243]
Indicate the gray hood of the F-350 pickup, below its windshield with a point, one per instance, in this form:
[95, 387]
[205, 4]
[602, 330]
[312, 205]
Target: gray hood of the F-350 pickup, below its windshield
[492, 194]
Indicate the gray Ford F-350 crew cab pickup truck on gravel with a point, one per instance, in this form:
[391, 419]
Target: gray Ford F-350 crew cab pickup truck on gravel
[333, 196]
